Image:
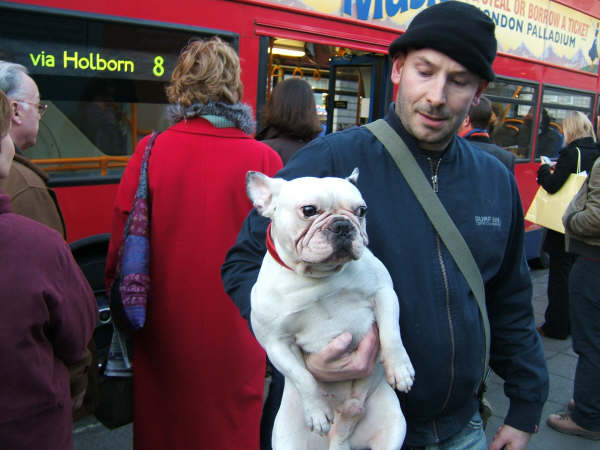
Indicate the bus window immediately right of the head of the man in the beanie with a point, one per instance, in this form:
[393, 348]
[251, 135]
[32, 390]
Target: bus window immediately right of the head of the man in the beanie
[514, 110]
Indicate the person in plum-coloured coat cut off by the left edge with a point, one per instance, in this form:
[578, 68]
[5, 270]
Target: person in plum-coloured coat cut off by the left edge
[48, 313]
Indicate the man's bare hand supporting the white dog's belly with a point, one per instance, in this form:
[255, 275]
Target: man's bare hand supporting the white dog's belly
[337, 363]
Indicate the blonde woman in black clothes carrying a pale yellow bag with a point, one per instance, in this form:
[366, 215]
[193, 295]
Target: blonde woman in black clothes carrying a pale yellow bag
[581, 146]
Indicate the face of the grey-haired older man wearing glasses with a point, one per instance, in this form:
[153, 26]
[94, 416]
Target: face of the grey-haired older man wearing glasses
[26, 117]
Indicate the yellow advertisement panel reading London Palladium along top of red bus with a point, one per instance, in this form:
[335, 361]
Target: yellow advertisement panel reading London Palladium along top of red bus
[543, 30]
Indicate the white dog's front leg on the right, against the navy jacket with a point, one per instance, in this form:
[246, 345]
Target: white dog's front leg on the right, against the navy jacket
[398, 368]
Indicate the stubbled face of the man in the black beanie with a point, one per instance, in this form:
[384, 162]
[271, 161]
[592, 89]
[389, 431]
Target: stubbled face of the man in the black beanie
[434, 95]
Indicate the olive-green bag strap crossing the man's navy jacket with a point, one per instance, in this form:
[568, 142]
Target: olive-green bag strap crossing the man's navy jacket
[440, 219]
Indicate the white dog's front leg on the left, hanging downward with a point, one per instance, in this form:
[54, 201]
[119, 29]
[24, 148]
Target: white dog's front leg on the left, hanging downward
[287, 358]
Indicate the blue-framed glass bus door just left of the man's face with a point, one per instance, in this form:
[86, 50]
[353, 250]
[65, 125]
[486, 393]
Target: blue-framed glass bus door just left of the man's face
[359, 90]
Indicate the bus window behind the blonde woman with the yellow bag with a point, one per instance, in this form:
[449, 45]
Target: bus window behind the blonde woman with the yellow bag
[556, 104]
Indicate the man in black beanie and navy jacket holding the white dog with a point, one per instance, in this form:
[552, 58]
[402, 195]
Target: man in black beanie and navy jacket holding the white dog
[441, 66]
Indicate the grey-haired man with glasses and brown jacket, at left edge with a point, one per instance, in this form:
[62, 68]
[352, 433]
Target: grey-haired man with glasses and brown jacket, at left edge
[26, 184]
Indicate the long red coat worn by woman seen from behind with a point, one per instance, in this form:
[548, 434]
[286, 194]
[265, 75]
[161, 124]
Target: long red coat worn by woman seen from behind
[198, 371]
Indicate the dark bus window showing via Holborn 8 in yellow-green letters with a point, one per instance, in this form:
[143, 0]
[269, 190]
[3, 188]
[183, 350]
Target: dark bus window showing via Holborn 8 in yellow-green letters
[103, 80]
